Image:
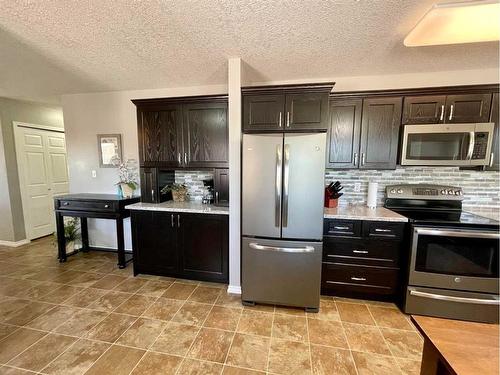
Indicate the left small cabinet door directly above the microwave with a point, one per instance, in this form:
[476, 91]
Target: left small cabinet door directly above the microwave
[424, 109]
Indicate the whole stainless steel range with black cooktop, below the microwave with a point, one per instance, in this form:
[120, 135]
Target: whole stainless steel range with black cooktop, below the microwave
[454, 255]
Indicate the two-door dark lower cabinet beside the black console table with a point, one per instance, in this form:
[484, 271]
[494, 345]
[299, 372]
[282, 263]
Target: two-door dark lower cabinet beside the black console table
[187, 245]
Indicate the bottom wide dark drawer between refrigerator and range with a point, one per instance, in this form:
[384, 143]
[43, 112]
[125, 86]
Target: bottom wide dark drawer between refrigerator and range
[365, 279]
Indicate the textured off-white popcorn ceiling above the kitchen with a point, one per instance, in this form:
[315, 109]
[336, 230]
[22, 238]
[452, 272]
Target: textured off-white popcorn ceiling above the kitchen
[52, 47]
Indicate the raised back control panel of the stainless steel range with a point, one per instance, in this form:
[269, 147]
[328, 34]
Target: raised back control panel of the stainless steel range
[424, 191]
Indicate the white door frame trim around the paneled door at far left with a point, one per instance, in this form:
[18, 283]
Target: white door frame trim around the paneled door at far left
[17, 125]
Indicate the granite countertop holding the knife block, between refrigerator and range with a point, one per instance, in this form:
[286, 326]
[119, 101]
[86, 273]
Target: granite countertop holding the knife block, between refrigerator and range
[361, 212]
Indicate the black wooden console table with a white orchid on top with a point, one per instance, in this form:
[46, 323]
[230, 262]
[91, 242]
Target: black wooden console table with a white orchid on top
[97, 206]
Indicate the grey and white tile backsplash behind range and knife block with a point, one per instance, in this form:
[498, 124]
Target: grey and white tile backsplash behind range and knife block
[481, 188]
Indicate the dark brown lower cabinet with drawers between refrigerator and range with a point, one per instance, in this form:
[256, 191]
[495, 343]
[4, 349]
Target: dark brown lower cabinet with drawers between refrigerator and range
[362, 262]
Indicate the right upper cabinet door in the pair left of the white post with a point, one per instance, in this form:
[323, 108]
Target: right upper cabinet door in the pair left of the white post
[205, 135]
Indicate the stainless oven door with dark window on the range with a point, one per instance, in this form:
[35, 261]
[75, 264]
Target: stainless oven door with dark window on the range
[456, 259]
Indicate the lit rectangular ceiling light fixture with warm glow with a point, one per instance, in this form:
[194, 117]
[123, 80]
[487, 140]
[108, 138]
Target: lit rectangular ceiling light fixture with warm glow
[458, 22]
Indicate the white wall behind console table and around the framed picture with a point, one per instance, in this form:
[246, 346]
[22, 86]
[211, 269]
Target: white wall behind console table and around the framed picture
[85, 116]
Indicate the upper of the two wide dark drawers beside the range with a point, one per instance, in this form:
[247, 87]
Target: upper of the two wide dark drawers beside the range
[381, 252]
